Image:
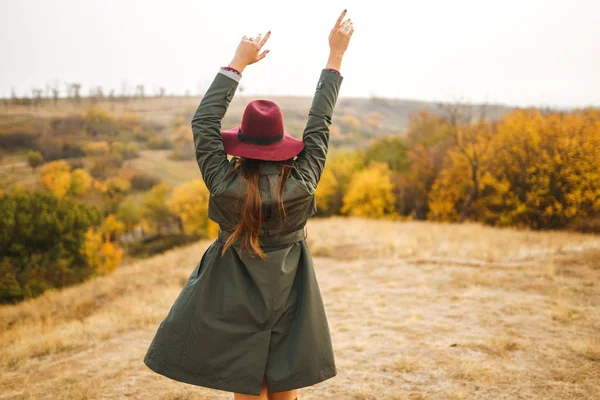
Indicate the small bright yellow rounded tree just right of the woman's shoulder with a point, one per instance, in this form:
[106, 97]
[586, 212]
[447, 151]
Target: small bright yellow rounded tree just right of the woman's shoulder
[370, 193]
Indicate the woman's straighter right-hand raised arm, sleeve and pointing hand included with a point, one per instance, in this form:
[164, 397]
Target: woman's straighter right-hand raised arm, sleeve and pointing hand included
[311, 160]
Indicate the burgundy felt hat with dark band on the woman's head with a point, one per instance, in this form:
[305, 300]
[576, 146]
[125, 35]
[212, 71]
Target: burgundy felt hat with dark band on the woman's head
[261, 134]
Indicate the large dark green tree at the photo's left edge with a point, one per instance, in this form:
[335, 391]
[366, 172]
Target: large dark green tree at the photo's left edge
[41, 236]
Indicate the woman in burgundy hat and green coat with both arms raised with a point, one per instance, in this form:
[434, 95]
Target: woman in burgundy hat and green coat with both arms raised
[250, 318]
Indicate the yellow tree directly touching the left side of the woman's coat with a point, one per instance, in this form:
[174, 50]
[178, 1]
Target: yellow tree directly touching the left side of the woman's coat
[189, 202]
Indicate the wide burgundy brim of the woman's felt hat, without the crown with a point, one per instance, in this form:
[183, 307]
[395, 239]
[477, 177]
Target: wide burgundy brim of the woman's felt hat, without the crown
[286, 148]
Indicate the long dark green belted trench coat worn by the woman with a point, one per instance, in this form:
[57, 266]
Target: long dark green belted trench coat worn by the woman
[239, 318]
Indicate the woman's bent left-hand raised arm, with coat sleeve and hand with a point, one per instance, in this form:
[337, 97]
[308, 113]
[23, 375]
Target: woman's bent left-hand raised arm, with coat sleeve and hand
[206, 123]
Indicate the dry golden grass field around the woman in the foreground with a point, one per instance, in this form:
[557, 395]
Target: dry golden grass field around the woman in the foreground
[416, 311]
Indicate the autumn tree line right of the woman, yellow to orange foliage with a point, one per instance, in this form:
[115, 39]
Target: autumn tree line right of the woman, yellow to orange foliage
[531, 168]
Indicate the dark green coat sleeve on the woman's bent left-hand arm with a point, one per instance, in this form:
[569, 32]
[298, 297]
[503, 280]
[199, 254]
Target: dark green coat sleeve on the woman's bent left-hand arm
[206, 128]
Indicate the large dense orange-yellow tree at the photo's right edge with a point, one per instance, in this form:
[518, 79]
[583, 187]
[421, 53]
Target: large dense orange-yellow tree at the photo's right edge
[538, 170]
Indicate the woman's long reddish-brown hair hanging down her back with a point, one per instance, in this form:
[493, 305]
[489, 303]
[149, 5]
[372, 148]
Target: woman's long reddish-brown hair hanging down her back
[251, 217]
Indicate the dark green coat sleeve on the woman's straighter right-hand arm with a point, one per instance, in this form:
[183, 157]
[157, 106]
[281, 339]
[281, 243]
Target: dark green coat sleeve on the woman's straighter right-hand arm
[311, 160]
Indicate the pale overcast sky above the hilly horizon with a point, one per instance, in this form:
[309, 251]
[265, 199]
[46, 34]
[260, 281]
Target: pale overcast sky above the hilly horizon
[519, 52]
